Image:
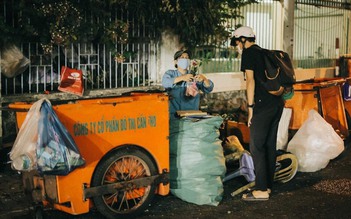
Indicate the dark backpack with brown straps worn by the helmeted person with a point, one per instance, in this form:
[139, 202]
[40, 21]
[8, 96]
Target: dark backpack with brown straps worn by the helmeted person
[280, 74]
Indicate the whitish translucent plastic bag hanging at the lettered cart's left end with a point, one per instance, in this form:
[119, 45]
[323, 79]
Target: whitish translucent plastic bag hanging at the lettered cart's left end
[23, 152]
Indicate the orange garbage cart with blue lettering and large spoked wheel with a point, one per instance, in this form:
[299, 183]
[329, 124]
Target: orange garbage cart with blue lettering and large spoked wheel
[124, 141]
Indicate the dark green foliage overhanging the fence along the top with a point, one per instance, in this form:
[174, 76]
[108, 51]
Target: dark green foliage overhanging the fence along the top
[61, 22]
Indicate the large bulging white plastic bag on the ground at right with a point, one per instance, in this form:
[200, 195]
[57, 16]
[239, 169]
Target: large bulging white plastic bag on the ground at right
[315, 143]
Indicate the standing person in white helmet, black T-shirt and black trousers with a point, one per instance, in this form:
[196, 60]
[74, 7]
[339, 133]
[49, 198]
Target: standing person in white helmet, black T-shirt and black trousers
[264, 112]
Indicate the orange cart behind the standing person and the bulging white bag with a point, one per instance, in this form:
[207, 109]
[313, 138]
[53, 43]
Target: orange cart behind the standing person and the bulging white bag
[323, 95]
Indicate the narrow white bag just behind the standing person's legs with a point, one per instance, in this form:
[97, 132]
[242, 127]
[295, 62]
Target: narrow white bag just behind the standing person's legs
[283, 129]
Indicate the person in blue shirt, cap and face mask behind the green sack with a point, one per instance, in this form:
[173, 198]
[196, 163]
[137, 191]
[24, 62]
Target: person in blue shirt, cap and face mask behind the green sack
[176, 83]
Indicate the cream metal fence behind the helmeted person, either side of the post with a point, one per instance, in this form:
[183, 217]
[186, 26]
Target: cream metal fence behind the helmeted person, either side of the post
[318, 27]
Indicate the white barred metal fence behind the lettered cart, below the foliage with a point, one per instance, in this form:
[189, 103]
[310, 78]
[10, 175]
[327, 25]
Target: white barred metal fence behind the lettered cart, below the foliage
[100, 68]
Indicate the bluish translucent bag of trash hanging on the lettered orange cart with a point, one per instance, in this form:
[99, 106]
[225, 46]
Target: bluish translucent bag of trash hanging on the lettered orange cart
[57, 153]
